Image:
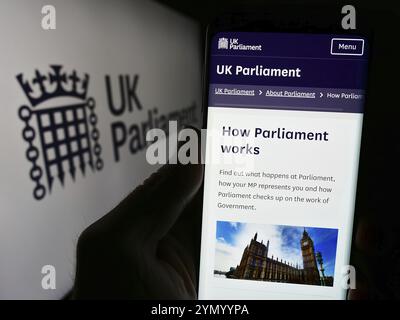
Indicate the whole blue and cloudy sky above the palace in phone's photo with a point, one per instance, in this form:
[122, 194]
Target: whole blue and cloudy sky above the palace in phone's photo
[232, 238]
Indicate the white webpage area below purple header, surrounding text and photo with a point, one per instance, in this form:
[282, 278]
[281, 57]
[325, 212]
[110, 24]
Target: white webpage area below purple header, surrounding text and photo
[337, 157]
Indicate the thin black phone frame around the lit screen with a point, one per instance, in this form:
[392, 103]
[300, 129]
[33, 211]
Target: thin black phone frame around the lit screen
[292, 21]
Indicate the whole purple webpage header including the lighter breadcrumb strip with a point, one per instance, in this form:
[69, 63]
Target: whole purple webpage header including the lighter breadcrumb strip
[288, 71]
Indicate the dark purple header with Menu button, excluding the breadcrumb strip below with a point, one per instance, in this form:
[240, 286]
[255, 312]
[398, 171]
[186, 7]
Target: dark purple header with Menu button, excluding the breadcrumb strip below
[288, 59]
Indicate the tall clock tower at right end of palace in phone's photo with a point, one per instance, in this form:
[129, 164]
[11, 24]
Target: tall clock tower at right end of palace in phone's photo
[311, 272]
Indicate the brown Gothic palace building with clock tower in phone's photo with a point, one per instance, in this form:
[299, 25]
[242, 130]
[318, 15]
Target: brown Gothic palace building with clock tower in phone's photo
[256, 265]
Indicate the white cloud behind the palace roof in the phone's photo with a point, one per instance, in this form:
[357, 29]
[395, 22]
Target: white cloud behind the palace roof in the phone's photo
[227, 255]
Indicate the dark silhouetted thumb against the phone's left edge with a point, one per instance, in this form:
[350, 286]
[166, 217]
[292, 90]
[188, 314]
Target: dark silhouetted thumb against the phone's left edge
[150, 211]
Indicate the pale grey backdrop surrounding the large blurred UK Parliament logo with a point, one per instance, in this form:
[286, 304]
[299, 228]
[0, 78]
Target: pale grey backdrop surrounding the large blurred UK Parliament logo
[97, 37]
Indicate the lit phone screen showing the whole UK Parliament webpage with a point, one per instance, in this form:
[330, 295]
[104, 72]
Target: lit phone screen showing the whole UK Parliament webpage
[284, 121]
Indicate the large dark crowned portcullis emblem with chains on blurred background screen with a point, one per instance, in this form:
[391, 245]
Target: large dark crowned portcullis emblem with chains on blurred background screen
[60, 128]
